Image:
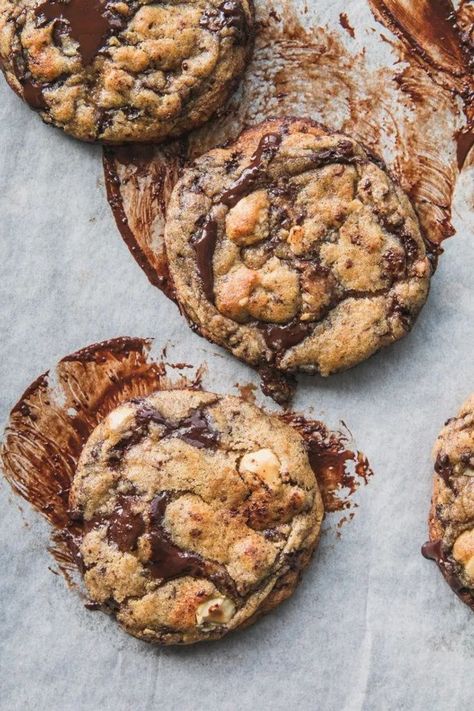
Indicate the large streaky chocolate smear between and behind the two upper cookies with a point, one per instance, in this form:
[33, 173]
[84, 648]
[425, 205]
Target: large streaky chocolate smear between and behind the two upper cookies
[404, 108]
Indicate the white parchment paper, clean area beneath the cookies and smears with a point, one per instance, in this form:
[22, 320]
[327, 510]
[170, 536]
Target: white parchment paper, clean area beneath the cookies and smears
[373, 625]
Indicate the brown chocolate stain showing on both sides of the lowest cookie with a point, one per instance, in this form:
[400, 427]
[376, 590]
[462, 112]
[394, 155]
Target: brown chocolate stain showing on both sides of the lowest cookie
[53, 419]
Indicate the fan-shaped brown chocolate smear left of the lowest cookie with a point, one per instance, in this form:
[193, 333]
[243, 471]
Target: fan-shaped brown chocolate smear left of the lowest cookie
[50, 424]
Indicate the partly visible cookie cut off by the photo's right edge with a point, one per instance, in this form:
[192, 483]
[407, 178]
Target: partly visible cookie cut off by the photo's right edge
[451, 523]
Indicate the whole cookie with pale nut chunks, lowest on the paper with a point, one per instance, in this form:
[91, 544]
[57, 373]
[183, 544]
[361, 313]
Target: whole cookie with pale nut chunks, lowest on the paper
[199, 513]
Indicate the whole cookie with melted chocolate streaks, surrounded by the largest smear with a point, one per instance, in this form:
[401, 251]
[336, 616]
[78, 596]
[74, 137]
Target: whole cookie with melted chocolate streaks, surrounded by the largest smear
[294, 247]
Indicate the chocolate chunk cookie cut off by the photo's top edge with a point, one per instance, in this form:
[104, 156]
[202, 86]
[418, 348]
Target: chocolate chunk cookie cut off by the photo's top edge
[113, 71]
